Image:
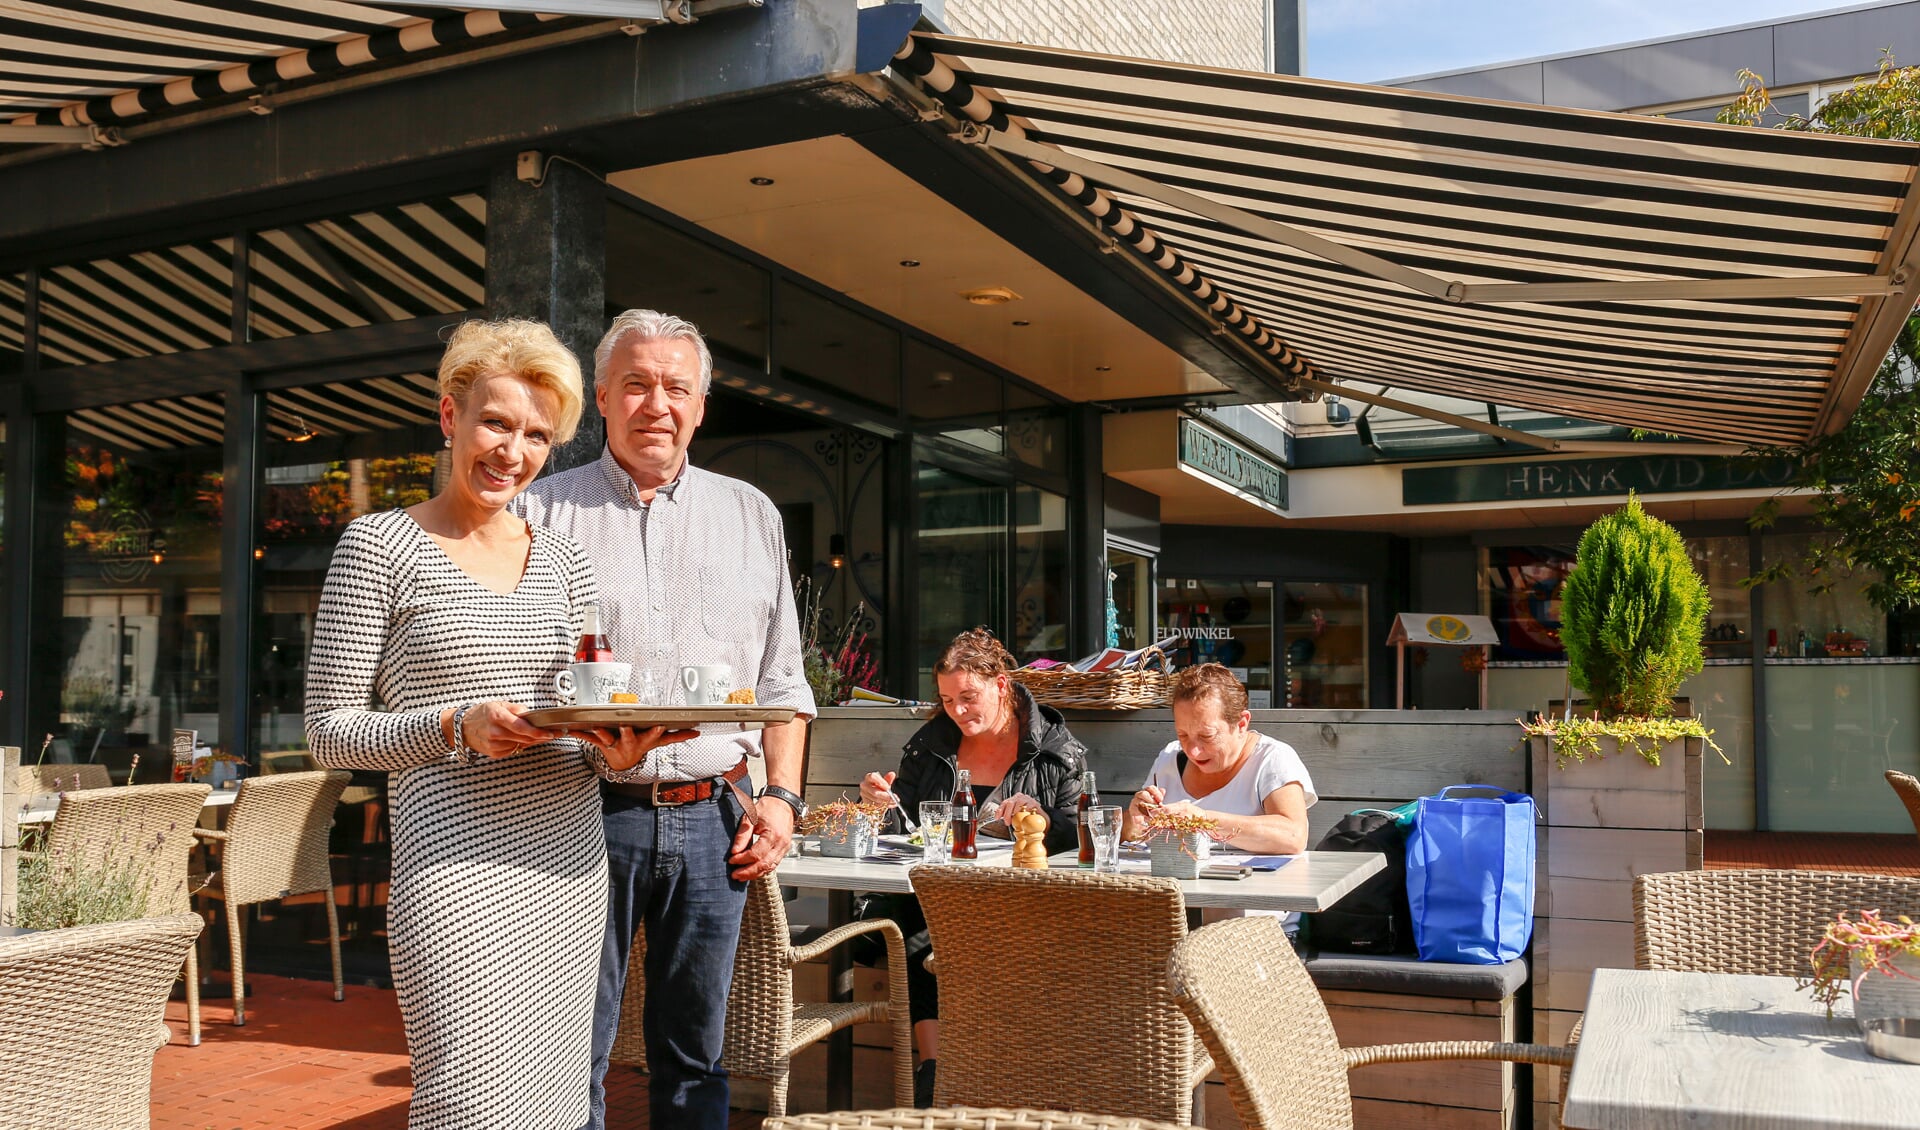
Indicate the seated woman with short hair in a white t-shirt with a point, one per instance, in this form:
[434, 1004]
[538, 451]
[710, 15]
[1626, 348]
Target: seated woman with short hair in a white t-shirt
[1222, 768]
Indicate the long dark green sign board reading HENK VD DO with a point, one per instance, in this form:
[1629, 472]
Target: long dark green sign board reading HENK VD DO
[1583, 479]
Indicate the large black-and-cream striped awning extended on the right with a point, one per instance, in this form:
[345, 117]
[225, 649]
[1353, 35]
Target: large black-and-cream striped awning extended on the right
[1717, 283]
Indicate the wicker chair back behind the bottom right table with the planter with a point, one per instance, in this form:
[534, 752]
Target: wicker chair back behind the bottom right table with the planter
[1752, 922]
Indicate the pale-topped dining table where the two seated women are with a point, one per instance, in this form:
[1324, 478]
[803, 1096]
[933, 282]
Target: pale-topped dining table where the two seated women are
[1310, 882]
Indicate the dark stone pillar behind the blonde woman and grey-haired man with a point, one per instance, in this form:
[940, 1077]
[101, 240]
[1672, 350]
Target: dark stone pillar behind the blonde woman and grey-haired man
[546, 260]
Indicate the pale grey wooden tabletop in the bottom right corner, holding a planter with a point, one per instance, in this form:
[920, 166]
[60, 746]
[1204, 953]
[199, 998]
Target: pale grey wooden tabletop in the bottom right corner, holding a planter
[1710, 1050]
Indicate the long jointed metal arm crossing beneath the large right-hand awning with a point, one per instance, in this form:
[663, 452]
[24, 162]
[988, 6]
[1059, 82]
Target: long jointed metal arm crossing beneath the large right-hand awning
[1420, 281]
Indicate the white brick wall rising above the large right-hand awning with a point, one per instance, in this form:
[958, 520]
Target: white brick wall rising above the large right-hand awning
[1212, 34]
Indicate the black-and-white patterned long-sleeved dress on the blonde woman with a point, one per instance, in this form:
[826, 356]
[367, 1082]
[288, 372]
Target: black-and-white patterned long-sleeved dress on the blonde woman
[500, 866]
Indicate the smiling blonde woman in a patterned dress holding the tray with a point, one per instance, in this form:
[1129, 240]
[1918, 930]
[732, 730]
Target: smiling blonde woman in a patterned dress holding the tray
[439, 628]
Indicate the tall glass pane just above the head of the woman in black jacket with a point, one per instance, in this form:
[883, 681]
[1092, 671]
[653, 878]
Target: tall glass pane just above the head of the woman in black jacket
[961, 559]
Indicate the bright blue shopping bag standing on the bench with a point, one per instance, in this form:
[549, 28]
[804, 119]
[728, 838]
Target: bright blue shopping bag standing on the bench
[1472, 876]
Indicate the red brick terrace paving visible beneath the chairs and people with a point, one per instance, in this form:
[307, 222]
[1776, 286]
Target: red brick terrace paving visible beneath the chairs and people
[308, 1062]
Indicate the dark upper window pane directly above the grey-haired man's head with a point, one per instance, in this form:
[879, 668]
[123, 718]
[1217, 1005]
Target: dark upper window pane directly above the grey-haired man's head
[652, 266]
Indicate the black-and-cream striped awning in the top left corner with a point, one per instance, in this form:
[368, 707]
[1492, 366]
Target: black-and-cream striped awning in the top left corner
[105, 62]
